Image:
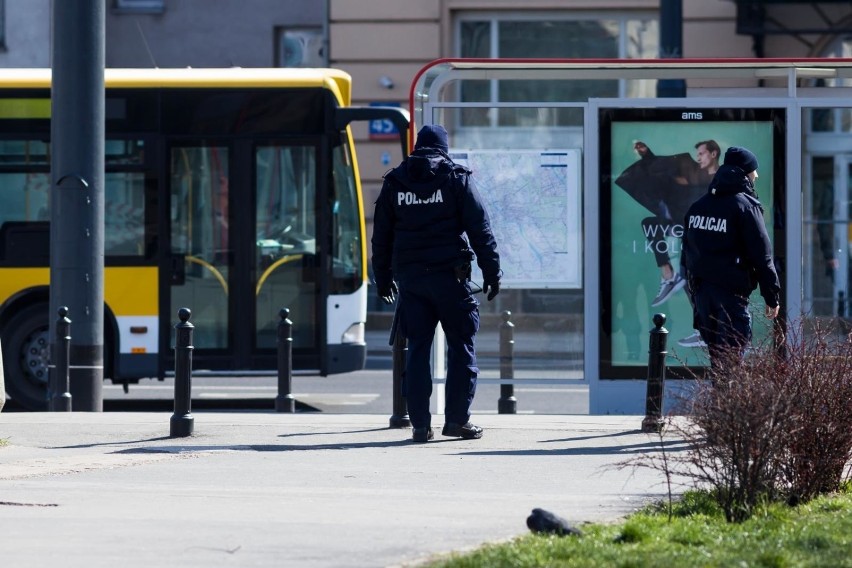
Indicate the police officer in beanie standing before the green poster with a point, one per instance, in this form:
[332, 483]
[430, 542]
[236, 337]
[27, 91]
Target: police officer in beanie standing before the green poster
[727, 254]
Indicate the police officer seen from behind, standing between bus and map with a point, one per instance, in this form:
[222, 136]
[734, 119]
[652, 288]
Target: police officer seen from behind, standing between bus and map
[428, 223]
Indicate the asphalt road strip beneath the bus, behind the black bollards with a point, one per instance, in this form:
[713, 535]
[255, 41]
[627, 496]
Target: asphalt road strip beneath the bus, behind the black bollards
[544, 385]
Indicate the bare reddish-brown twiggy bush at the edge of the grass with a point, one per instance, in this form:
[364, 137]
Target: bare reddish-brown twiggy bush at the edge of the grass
[775, 425]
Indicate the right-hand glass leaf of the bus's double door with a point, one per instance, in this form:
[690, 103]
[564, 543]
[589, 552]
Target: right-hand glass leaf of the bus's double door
[285, 258]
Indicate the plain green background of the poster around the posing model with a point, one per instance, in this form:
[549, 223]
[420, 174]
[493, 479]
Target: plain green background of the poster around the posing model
[635, 275]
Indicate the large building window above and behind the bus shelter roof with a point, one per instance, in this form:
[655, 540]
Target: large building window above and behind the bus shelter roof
[553, 35]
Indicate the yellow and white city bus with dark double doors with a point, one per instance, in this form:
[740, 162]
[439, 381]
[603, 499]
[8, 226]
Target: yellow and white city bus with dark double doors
[234, 192]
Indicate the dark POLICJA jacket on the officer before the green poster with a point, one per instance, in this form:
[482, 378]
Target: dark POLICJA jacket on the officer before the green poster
[725, 240]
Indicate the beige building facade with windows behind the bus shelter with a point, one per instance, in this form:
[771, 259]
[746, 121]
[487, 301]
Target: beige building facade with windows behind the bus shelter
[406, 34]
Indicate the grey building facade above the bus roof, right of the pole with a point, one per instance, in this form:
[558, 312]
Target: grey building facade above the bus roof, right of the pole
[216, 33]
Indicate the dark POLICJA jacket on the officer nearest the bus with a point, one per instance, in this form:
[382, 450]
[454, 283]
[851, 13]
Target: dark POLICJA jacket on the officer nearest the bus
[429, 216]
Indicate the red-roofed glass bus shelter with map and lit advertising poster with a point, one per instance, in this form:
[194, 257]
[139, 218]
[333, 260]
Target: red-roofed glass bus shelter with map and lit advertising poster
[588, 234]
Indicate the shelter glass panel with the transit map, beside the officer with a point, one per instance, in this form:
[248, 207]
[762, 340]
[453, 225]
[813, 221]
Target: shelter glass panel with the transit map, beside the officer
[529, 176]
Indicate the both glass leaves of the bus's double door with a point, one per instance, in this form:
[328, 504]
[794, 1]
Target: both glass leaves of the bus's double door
[243, 230]
